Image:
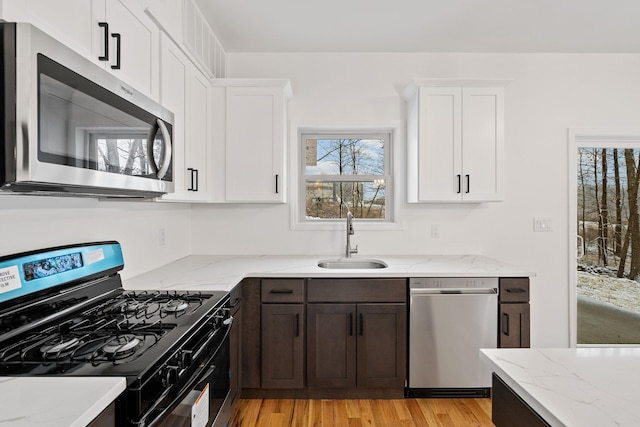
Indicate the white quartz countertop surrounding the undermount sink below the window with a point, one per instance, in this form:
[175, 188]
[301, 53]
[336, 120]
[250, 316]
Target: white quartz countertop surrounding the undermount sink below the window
[217, 272]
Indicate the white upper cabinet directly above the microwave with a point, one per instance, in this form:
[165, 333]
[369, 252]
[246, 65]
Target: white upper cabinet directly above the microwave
[115, 34]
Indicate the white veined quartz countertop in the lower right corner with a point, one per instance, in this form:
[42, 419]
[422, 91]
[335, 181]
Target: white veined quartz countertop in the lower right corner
[580, 387]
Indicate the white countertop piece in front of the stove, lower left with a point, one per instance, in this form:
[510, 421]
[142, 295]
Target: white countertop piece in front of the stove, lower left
[55, 402]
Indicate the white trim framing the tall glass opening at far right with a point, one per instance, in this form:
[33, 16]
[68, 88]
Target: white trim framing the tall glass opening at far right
[596, 138]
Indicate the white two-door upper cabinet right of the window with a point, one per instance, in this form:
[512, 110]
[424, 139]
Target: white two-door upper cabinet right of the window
[455, 140]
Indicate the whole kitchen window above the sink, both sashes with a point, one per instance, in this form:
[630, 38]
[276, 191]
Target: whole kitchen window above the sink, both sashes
[345, 171]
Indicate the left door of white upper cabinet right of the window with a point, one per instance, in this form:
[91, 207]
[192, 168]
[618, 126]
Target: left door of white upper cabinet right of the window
[439, 144]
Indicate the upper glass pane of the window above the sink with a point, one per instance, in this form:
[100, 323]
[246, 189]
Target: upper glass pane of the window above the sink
[339, 156]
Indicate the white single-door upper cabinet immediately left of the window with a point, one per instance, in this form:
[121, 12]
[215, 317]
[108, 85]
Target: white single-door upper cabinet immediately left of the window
[250, 116]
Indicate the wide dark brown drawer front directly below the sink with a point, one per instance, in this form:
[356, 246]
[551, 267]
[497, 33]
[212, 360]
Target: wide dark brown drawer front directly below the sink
[357, 290]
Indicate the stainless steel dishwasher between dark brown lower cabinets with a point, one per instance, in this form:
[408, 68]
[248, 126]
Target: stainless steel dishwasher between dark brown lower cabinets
[450, 320]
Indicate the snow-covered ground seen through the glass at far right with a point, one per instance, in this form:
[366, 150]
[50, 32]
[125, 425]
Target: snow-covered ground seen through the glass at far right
[623, 293]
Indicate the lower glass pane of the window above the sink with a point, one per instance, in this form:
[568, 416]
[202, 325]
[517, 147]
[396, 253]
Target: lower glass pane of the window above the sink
[363, 199]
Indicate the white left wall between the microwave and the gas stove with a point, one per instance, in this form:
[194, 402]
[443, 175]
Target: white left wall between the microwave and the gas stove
[32, 222]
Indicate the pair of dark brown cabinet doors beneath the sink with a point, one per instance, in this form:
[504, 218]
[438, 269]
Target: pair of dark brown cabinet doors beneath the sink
[356, 345]
